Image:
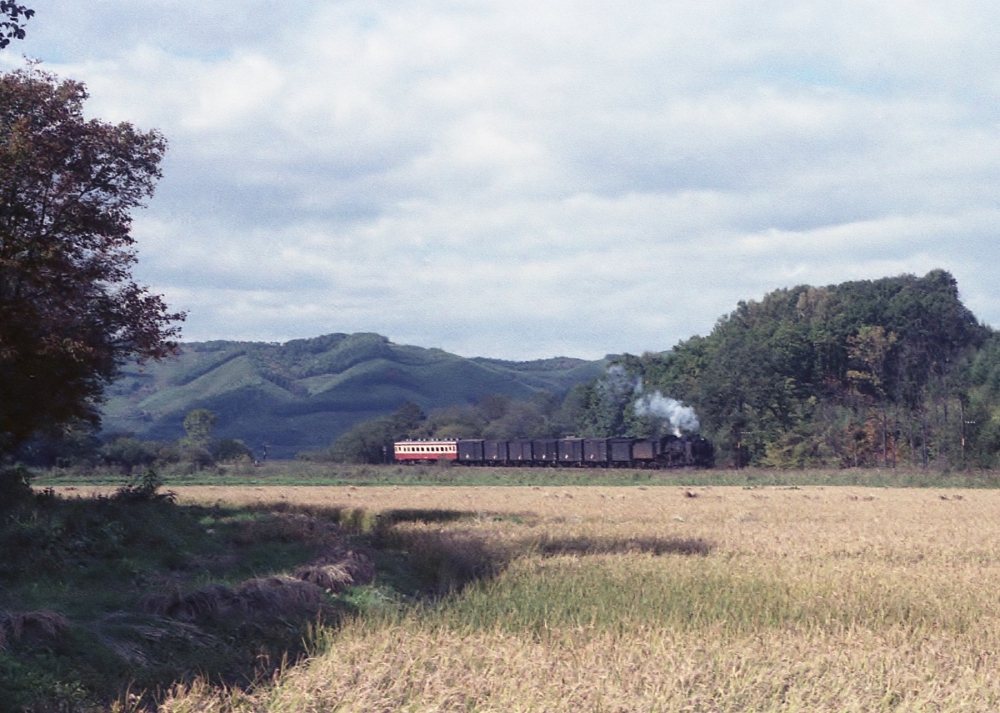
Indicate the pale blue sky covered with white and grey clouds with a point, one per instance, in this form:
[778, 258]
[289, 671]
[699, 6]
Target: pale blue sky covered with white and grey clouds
[525, 179]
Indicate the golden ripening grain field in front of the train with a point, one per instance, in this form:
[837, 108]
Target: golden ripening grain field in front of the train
[811, 599]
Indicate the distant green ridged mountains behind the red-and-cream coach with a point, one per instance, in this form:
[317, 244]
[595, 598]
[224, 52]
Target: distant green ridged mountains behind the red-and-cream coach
[301, 394]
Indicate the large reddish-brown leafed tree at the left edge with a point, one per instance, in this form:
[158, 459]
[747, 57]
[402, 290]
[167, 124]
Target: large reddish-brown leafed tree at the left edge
[70, 312]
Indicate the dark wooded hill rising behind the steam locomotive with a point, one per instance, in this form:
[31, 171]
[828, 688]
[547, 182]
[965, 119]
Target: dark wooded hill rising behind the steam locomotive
[869, 373]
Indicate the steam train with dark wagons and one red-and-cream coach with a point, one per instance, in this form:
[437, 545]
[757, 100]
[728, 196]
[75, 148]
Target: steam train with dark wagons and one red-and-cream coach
[666, 452]
